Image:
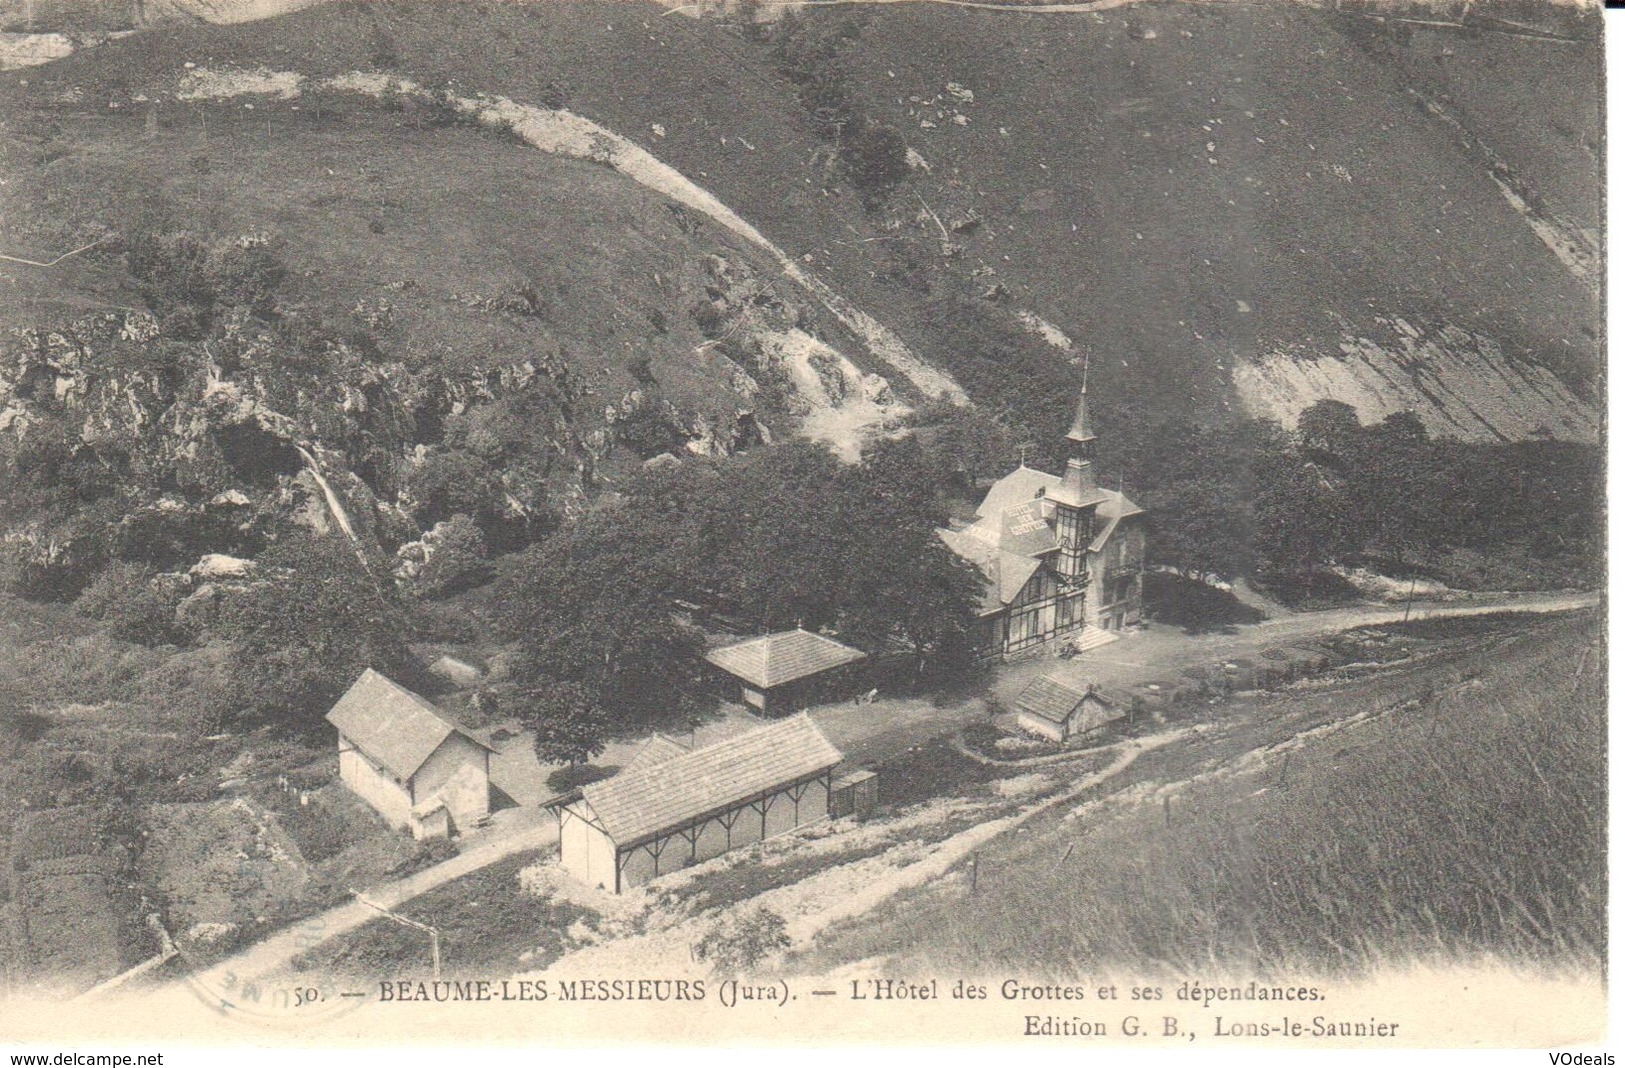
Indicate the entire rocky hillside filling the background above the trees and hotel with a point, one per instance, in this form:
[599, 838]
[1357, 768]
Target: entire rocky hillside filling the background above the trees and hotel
[748, 230]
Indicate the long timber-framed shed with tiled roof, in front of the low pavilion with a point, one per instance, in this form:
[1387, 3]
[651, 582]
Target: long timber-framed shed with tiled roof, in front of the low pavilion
[674, 807]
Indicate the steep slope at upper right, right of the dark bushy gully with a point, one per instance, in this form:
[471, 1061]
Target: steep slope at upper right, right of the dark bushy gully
[1189, 189]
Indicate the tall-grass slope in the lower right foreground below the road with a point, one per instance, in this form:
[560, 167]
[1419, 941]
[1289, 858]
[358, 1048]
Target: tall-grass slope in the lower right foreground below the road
[1460, 818]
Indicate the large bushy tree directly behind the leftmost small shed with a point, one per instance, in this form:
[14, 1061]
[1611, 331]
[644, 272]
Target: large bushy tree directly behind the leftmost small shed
[308, 630]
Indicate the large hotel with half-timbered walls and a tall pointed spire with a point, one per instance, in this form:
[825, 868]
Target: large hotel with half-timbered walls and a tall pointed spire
[1057, 554]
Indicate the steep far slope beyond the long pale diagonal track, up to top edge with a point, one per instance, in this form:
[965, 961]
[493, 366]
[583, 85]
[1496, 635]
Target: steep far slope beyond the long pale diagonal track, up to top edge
[1182, 189]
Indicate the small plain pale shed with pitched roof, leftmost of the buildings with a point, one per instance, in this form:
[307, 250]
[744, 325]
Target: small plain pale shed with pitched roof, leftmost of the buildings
[404, 758]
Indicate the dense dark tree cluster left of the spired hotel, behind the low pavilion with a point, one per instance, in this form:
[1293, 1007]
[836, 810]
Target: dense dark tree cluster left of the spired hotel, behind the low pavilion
[774, 539]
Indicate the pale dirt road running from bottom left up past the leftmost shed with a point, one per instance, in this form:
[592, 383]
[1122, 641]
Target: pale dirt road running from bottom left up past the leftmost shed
[516, 831]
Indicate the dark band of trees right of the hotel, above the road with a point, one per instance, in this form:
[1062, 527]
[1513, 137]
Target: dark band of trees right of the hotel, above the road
[1246, 497]
